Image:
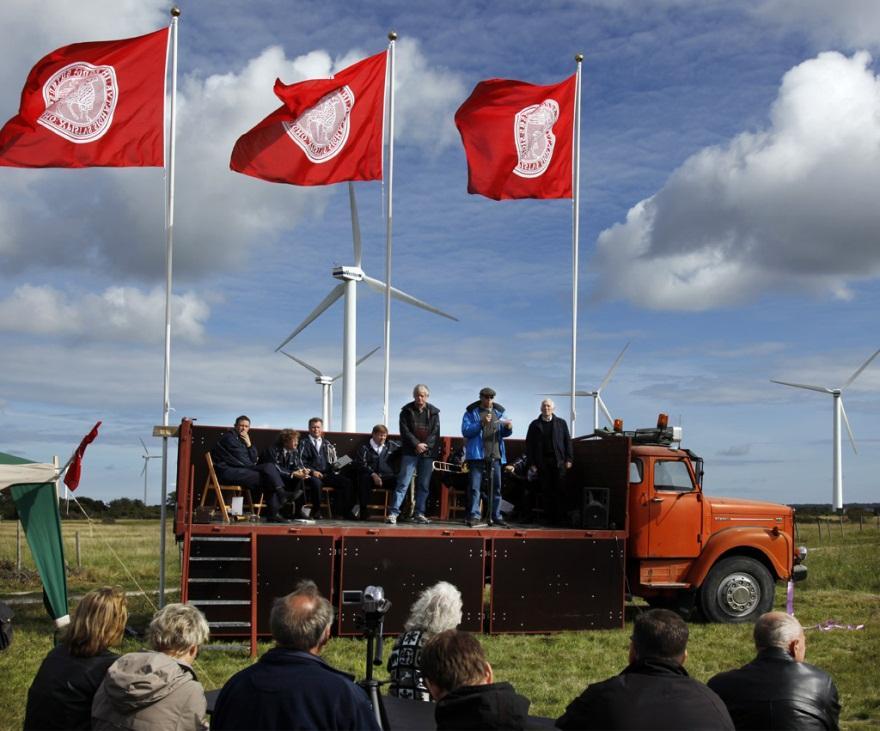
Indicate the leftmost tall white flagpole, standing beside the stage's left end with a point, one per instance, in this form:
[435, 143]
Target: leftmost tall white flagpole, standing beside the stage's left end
[169, 239]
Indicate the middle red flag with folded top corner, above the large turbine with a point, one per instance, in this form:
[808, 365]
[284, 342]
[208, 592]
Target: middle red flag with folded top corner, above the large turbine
[328, 131]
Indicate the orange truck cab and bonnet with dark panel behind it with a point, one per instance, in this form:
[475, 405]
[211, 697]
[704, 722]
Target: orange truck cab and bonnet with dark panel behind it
[685, 549]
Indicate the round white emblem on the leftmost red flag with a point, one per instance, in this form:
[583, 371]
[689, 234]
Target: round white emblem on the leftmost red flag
[80, 99]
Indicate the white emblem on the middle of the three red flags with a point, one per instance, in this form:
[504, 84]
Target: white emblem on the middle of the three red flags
[322, 130]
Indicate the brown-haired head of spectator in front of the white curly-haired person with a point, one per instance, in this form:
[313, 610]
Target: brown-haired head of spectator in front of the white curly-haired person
[452, 659]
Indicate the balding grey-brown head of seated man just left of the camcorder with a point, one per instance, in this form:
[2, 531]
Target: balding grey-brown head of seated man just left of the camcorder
[301, 620]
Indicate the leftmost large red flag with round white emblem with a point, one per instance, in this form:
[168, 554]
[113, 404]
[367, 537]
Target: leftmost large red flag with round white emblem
[92, 104]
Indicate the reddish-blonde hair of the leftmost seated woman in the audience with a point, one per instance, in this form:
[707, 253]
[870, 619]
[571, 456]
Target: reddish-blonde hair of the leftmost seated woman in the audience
[98, 622]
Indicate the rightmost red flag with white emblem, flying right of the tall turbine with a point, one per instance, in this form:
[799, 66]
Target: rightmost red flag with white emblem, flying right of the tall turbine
[518, 138]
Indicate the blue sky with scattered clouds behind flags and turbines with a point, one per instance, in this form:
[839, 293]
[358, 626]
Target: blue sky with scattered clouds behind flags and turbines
[730, 163]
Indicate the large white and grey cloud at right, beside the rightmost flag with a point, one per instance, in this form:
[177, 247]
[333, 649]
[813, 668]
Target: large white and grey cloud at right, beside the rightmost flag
[792, 207]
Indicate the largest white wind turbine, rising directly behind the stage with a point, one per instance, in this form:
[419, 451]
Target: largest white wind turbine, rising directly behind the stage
[349, 276]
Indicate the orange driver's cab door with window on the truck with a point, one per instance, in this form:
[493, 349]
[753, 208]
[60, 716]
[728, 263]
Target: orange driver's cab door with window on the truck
[675, 511]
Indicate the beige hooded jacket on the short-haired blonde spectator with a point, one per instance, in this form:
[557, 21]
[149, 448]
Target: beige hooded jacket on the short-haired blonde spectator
[150, 690]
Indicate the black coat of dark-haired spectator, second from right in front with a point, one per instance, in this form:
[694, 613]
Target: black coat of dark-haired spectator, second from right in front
[648, 694]
